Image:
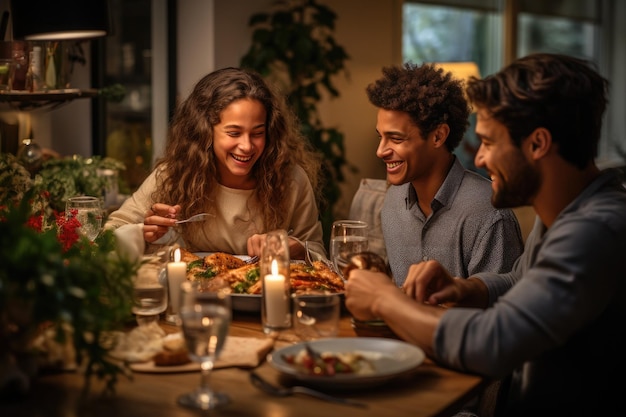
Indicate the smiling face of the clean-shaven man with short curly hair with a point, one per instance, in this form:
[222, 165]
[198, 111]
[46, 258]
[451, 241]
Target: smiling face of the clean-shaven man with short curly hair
[408, 156]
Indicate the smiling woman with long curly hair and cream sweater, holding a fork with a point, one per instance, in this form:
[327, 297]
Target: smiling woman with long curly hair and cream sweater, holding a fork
[234, 150]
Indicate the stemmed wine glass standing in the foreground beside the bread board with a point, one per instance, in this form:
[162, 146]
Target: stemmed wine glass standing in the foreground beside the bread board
[205, 317]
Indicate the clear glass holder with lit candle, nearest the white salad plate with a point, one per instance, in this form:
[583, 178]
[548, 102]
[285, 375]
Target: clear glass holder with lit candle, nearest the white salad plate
[276, 294]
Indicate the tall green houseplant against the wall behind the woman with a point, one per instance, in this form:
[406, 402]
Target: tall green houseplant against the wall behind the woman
[294, 46]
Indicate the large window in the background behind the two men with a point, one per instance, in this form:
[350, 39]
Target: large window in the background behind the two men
[491, 33]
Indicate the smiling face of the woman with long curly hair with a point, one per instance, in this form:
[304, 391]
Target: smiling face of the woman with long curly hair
[238, 142]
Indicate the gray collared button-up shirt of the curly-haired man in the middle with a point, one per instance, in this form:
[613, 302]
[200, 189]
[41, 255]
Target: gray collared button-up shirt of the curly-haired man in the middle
[464, 232]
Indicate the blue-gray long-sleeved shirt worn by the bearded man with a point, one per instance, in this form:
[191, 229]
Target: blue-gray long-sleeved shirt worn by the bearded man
[558, 319]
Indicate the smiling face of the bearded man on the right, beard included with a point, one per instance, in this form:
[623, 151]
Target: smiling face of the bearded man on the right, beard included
[515, 180]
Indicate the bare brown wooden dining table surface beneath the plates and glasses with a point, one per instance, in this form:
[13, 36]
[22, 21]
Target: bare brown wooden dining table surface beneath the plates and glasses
[430, 390]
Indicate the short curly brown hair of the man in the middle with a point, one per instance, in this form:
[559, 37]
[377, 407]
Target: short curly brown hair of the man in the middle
[429, 95]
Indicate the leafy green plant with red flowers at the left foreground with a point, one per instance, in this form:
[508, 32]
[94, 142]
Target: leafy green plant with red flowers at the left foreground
[52, 281]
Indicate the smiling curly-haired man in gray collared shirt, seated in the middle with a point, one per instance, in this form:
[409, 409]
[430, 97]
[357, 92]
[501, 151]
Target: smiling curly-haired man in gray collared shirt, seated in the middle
[434, 207]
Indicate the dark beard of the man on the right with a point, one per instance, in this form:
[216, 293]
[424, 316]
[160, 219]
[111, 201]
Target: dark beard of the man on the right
[519, 186]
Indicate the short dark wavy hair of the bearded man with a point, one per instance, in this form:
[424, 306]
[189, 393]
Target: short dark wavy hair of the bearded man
[563, 94]
